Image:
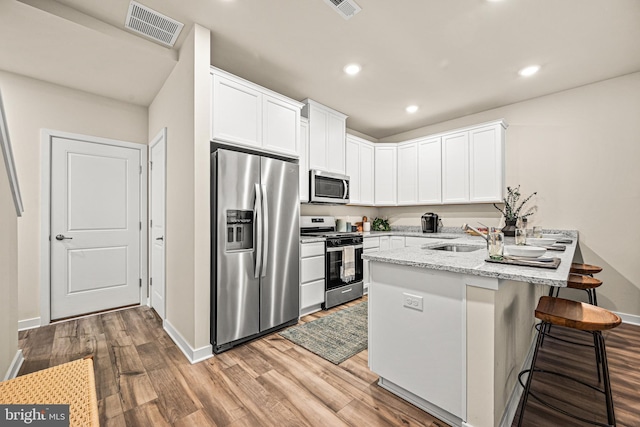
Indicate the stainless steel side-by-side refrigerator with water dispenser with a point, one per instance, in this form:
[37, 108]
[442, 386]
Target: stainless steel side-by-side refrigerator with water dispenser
[254, 246]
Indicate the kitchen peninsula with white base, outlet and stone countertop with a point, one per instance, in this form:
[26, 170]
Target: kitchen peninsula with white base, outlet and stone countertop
[449, 332]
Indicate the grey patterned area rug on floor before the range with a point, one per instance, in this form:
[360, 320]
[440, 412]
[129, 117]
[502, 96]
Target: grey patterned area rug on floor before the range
[335, 337]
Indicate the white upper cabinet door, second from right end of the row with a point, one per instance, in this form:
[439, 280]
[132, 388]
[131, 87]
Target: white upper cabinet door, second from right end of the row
[455, 167]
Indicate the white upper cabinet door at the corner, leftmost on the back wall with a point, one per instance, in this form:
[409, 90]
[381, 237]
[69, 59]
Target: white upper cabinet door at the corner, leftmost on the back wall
[386, 175]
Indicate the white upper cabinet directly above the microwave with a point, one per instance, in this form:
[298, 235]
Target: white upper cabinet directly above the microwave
[327, 130]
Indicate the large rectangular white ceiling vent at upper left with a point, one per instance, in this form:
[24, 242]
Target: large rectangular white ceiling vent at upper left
[152, 24]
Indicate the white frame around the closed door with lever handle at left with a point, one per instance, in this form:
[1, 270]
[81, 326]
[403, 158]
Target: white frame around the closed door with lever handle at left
[46, 140]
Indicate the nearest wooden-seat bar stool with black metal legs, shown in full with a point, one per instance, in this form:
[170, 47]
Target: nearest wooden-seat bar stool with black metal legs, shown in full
[582, 317]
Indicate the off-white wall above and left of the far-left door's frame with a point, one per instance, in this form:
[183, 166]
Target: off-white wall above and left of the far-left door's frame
[32, 105]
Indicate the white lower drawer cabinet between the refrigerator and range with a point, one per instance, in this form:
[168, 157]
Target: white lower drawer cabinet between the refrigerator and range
[311, 277]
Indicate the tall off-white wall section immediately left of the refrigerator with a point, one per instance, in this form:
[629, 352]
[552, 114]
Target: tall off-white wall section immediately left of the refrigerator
[183, 107]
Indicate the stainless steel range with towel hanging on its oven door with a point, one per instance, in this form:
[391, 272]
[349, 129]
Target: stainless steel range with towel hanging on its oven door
[343, 259]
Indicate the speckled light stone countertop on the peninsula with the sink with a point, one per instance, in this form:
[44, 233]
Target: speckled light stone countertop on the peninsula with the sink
[474, 262]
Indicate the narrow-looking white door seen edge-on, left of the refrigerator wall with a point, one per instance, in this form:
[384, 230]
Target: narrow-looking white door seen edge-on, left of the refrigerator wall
[157, 223]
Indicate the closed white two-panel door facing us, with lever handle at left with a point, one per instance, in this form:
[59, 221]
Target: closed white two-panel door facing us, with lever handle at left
[95, 227]
